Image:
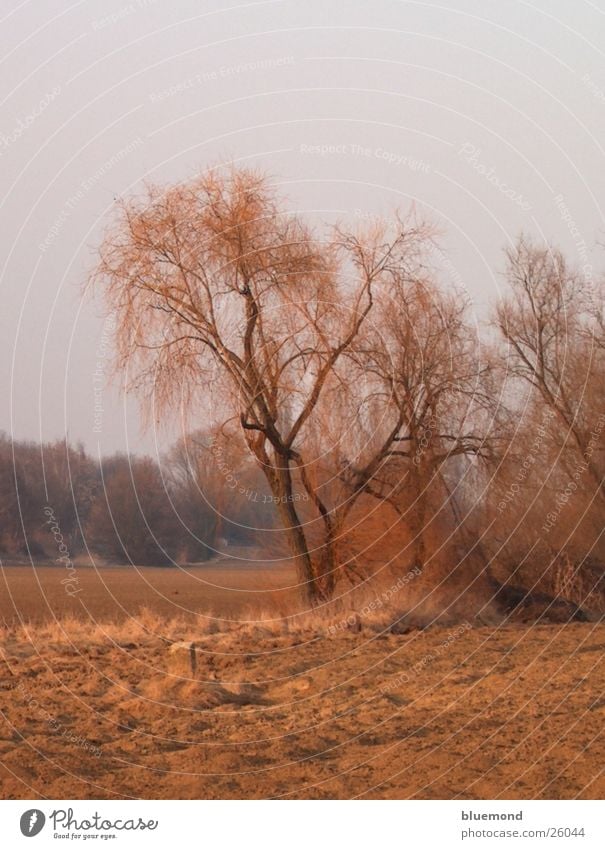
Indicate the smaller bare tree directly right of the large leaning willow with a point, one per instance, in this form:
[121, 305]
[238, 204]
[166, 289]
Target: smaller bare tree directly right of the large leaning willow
[432, 370]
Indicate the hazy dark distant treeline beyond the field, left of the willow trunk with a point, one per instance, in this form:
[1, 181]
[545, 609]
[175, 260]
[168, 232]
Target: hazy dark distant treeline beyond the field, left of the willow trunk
[126, 508]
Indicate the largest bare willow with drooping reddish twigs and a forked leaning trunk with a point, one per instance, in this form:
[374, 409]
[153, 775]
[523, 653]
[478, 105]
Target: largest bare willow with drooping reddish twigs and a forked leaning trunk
[213, 285]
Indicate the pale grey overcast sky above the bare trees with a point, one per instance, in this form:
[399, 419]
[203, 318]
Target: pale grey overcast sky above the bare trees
[490, 116]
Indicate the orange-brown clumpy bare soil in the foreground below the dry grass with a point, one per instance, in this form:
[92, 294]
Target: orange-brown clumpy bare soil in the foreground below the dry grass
[477, 712]
